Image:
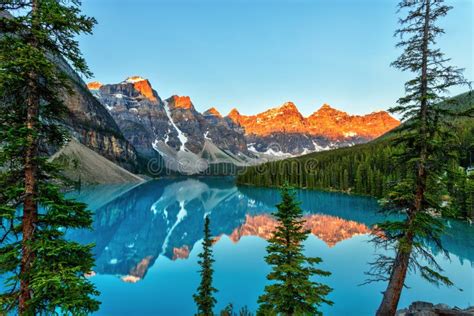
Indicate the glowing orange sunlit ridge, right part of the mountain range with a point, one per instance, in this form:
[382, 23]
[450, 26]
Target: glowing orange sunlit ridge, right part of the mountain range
[283, 130]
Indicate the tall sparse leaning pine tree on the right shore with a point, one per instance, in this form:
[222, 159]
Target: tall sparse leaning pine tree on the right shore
[417, 195]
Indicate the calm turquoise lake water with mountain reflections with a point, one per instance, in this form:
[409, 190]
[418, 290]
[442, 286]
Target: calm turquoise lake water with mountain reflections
[148, 236]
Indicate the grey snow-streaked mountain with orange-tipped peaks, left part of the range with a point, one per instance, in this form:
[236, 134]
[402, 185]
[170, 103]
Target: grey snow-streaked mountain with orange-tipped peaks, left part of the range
[172, 128]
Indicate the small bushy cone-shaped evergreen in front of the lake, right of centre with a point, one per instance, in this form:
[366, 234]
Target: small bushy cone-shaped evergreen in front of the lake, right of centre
[293, 292]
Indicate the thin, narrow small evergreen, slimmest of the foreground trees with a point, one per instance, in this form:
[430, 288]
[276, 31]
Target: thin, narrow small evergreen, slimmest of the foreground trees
[204, 298]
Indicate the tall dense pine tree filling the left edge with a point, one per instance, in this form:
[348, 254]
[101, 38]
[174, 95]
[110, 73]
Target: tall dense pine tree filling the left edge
[45, 272]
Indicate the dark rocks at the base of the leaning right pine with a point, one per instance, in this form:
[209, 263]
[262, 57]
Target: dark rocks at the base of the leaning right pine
[429, 309]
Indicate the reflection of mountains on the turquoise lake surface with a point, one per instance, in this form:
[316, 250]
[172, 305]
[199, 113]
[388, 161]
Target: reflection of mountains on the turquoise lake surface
[134, 225]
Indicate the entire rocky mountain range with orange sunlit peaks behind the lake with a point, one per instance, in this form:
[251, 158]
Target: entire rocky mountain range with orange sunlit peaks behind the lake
[189, 141]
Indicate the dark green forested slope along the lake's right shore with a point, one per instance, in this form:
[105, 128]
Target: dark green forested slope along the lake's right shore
[368, 168]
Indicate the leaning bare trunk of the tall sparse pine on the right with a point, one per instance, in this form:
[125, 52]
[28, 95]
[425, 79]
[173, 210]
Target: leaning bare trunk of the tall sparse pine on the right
[391, 297]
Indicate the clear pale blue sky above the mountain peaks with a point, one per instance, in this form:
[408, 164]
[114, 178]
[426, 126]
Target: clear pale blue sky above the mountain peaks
[256, 54]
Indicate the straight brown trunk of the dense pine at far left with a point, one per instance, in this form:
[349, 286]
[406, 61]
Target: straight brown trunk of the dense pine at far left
[30, 206]
